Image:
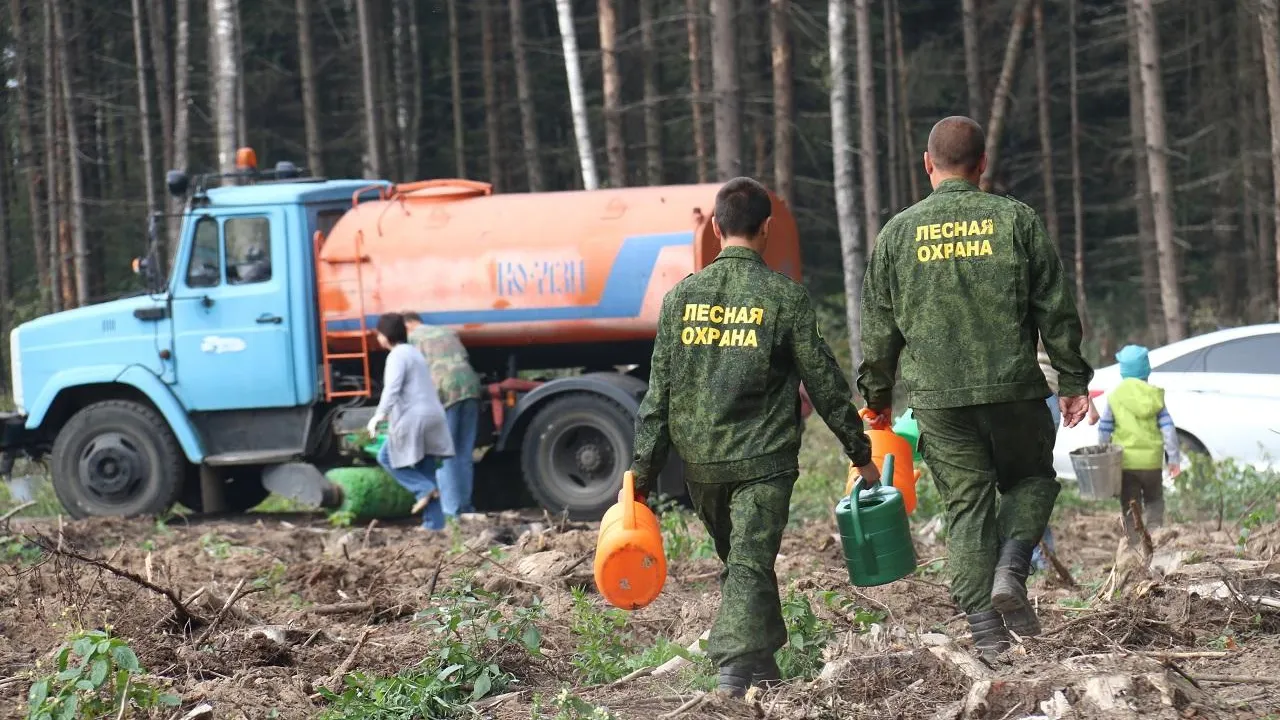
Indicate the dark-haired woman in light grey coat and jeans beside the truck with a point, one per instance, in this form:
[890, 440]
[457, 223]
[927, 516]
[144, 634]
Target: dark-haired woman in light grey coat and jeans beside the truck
[418, 435]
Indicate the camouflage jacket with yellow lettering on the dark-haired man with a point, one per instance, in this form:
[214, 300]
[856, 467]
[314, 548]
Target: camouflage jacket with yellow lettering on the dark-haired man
[734, 343]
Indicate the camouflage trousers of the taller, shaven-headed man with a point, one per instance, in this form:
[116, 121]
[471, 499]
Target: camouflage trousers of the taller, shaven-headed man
[975, 454]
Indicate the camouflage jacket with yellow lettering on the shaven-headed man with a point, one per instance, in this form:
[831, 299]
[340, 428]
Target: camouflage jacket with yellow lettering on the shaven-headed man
[959, 289]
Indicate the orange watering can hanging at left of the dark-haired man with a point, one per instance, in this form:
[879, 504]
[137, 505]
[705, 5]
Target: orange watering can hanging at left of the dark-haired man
[630, 566]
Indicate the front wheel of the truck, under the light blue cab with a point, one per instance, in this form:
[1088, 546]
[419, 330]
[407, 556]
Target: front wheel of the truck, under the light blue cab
[117, 458]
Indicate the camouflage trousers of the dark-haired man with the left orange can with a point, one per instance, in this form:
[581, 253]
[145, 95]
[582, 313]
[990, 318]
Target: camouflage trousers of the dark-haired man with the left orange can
[746, 520]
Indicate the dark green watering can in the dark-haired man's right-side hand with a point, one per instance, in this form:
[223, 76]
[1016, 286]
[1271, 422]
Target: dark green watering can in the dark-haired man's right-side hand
[875, 532]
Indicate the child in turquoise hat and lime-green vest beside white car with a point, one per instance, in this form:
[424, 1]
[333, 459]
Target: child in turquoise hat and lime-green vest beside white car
[1136, 420]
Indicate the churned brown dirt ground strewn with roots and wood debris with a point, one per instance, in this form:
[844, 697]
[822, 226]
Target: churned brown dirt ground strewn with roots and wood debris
[1192, 631]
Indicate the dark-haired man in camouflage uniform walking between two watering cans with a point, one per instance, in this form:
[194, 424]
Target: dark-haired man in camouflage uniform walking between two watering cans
[734, 343]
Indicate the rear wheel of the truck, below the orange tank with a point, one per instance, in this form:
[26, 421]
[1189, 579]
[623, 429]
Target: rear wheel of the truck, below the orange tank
[575, 453]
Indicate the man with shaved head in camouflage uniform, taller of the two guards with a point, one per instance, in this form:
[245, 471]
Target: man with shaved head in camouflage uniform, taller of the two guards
[958, 291]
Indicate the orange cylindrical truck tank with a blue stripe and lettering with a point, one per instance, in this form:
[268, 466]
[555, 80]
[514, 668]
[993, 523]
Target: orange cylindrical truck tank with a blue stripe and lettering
[522, 270]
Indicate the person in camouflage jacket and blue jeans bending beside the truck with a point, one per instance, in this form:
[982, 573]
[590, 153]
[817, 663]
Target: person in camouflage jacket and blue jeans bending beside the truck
[460, 391]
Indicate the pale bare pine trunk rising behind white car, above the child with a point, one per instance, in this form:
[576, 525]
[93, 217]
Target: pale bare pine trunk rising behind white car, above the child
[1142, 193]
